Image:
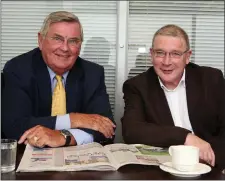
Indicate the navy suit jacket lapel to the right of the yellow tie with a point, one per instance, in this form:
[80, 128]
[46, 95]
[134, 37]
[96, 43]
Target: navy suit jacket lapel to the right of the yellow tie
[74, 87]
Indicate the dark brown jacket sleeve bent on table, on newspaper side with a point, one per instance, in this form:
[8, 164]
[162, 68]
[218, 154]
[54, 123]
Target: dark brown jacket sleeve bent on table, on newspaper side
[137, 128]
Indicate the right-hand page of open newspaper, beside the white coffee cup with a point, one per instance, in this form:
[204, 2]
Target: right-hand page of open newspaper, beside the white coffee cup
[124, 154]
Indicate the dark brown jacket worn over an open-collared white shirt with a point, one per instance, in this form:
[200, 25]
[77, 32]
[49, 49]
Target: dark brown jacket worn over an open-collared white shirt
[147, 118]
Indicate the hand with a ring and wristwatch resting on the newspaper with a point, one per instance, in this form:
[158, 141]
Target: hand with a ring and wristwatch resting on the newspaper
[40, 136]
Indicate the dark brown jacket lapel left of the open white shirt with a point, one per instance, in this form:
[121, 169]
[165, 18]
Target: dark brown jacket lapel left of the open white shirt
[158, 99]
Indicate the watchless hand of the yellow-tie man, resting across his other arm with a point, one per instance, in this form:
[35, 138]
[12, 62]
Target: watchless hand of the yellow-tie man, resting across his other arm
[93, 121]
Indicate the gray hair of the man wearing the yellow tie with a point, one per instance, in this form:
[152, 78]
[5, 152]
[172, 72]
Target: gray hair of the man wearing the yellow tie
[60, 16]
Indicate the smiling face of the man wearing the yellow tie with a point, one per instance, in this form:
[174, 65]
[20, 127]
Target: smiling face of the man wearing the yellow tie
[61, 46]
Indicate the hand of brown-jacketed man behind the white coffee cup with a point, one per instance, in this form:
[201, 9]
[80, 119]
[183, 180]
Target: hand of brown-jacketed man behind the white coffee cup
[206, 152]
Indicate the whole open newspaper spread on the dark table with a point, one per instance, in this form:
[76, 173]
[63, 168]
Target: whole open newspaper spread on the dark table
[91, 156]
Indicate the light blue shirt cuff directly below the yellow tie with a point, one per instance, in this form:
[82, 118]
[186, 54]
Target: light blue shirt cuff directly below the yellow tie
[62, 122]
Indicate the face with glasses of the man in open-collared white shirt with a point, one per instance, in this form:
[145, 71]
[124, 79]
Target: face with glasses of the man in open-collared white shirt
[169, 68]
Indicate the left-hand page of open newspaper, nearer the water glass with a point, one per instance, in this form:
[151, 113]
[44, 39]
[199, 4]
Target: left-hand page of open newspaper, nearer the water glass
[84, 157]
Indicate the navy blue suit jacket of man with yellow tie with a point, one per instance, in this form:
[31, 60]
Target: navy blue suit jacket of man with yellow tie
[28, 97]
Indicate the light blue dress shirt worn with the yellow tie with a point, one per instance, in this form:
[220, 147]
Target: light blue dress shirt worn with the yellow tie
[63, 121]
